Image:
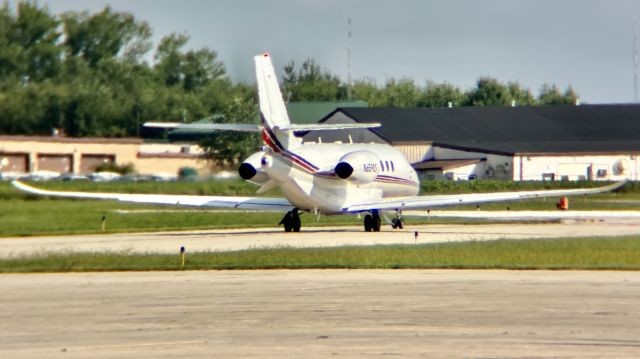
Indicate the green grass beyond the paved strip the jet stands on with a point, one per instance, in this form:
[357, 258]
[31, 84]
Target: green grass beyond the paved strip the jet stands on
[27, 215]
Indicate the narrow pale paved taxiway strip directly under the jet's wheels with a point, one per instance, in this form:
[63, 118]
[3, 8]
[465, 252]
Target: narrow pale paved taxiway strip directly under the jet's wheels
[238, 239]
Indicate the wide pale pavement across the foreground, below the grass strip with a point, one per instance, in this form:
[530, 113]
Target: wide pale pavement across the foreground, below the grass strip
[320, 314]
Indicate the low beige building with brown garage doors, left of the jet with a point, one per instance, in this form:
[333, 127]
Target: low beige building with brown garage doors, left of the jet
[23, 154]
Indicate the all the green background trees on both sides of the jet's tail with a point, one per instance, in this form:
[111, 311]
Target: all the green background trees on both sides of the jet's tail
[99, 74]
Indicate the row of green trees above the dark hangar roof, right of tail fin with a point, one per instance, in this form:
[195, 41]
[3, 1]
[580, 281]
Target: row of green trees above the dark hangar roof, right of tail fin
[310, 83]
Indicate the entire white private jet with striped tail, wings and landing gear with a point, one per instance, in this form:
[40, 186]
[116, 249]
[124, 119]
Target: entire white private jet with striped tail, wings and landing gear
[318, 178]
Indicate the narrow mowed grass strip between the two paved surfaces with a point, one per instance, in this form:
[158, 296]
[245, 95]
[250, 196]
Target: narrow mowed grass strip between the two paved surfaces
[616, 253]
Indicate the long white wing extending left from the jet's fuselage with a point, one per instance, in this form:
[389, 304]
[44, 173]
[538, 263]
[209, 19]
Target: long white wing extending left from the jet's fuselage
[252, 203]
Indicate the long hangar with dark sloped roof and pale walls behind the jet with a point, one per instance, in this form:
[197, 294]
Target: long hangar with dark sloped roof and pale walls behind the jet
[586, 142]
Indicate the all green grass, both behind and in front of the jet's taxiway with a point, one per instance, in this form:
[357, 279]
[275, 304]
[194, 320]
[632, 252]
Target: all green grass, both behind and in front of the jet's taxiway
[26, 215]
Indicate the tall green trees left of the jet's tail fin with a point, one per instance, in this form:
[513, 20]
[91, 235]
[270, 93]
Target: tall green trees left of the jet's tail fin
[88, 74]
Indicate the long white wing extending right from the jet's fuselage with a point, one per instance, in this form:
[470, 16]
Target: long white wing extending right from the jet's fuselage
[435, 201]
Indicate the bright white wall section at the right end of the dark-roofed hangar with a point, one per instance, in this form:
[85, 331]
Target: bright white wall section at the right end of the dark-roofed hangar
[581, 167]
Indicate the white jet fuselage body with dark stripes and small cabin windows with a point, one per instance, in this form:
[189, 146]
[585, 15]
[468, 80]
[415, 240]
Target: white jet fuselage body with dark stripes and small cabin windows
[307, 178]
